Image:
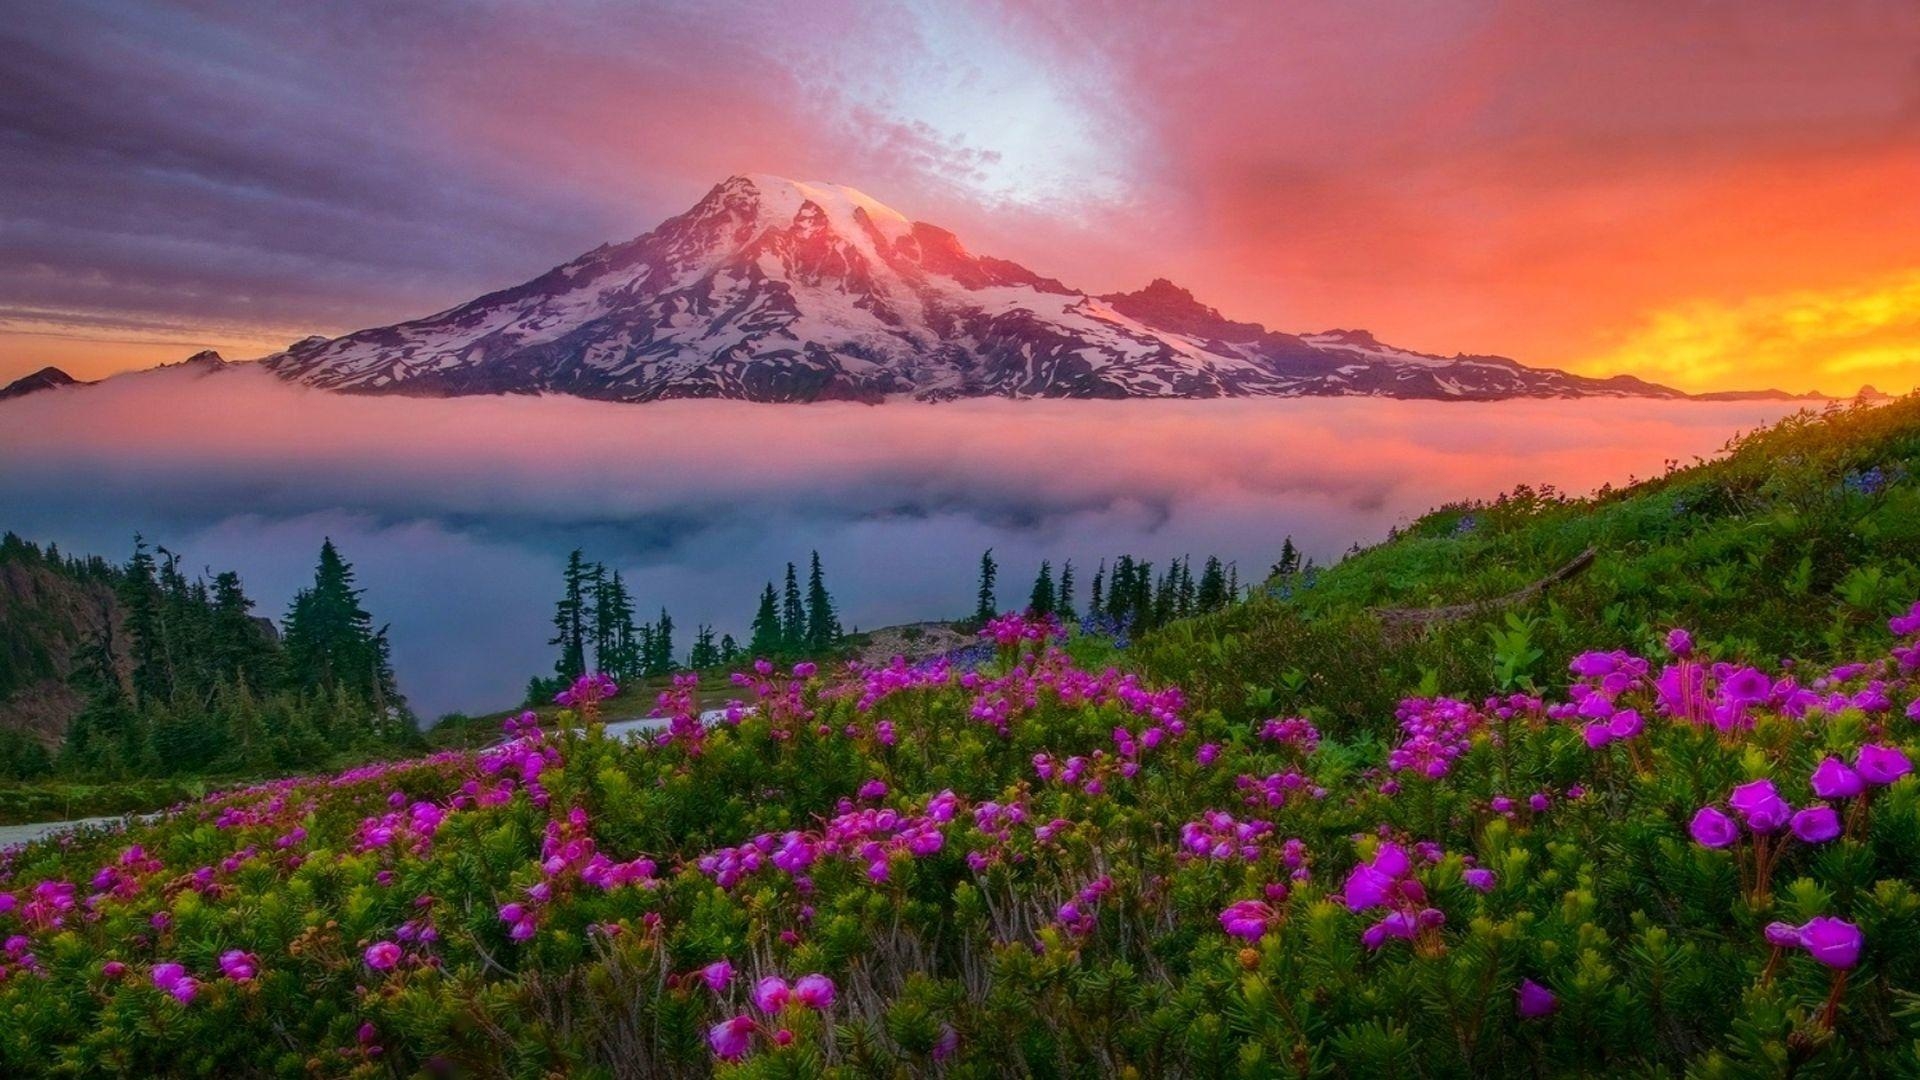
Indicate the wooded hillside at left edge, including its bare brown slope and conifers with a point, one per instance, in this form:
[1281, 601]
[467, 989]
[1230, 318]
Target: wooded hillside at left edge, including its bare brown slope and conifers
[114, 672]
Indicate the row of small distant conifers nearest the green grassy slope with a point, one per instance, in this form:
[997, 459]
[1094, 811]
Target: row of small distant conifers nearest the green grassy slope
[1126, 591]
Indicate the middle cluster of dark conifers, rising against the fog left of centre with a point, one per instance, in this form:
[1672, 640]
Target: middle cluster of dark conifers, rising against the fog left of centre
[594, 629]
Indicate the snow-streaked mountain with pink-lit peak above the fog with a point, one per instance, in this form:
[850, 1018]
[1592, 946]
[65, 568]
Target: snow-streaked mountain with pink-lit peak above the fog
[784, 291]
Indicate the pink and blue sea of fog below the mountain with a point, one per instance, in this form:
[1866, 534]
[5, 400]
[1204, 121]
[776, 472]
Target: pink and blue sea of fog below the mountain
[458, 514]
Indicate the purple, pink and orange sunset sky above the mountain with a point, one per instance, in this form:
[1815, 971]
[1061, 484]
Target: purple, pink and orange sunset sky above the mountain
[1708, 195]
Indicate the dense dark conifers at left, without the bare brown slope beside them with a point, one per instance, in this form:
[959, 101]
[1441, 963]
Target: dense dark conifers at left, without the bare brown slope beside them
[181, 677]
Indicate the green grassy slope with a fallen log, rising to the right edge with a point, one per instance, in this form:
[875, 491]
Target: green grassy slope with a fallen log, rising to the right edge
[1767, 551]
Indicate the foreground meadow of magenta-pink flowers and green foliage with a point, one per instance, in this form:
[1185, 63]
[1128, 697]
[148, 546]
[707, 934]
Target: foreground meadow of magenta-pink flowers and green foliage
[1675, 864]
